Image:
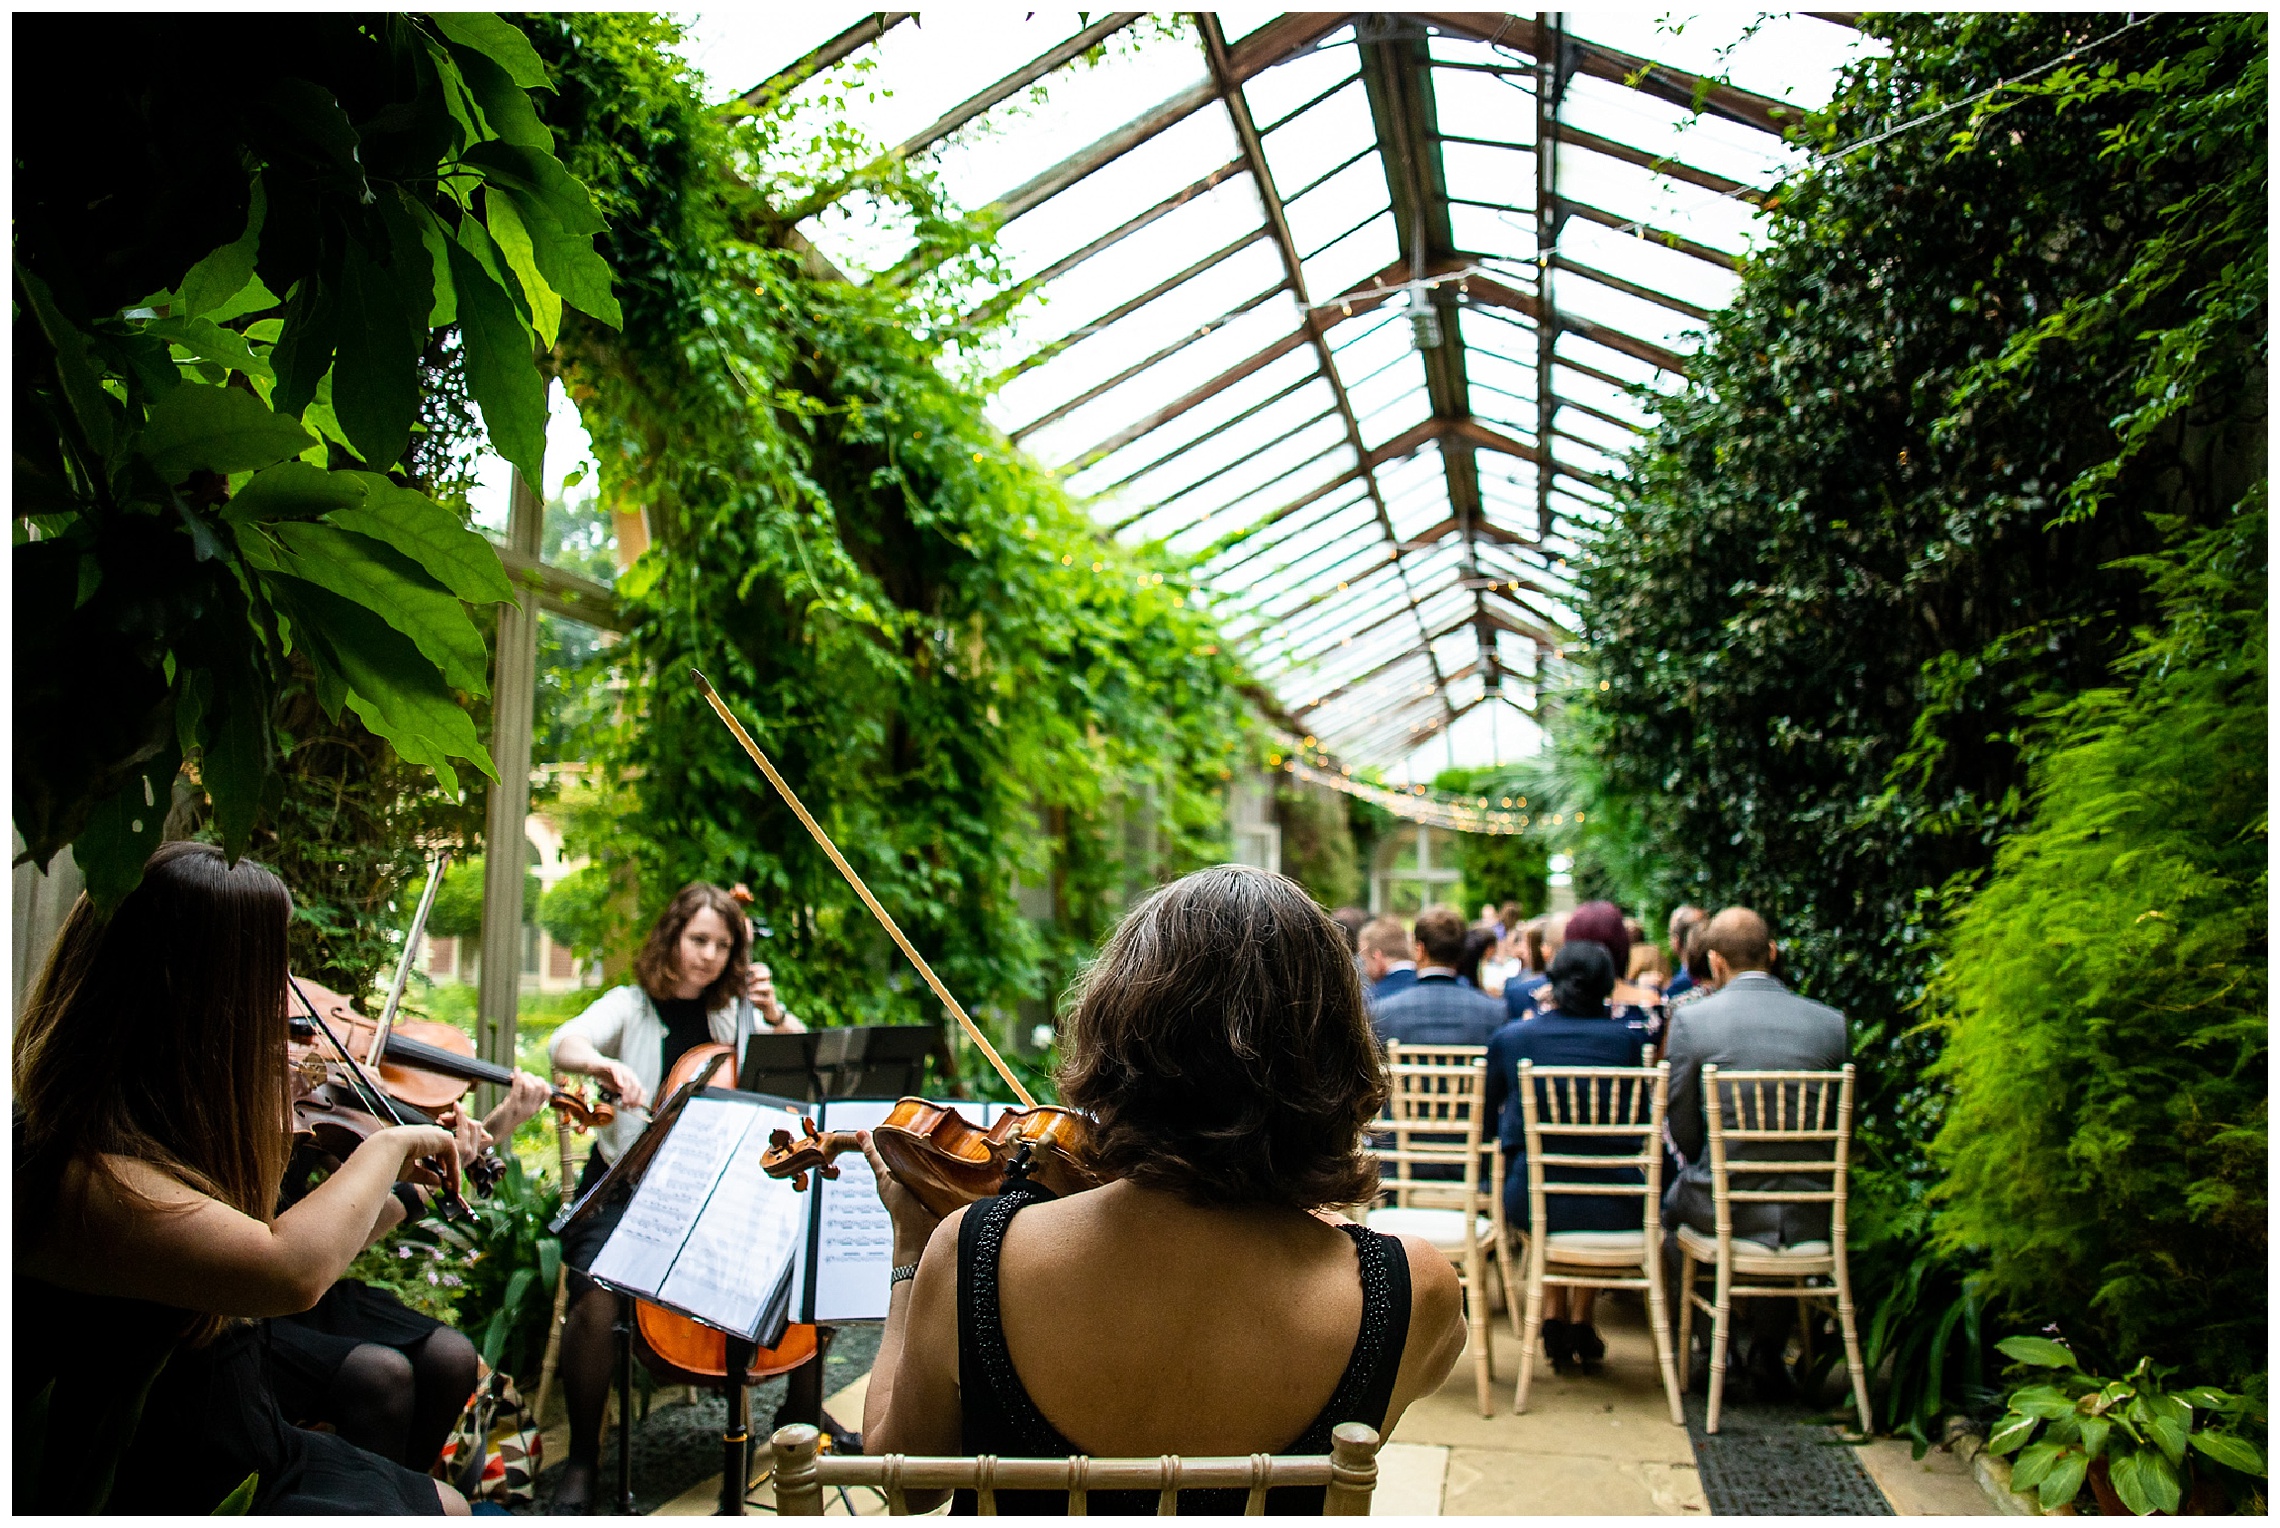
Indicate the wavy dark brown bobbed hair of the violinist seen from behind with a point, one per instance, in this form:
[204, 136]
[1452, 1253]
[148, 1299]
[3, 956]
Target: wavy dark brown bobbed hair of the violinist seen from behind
[1223, 1048]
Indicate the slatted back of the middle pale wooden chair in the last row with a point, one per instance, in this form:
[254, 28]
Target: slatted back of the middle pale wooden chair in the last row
[1595, 1105]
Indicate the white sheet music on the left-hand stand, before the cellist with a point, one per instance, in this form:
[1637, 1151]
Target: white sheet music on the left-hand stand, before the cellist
[708, 1233]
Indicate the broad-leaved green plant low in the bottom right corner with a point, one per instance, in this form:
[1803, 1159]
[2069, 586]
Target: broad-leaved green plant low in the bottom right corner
[2133, 1440]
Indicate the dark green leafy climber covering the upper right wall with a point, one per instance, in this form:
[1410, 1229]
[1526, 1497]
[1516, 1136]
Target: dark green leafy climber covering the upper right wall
[1882, 521]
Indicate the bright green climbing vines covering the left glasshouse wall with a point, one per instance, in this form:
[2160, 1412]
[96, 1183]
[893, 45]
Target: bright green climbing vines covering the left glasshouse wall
[913, 619]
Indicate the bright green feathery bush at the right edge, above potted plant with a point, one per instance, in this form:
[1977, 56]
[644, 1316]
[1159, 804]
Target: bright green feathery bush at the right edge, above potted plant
[2106, 1007]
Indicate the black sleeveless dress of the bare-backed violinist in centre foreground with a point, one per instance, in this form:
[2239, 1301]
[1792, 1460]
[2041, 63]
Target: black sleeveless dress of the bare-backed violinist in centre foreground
[1002, 1420]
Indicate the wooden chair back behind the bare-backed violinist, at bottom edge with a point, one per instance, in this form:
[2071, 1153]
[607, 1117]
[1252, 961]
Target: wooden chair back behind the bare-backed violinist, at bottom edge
[1349, 1474]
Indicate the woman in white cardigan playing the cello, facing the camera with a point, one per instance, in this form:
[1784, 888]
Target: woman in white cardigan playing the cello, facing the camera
[694, 986]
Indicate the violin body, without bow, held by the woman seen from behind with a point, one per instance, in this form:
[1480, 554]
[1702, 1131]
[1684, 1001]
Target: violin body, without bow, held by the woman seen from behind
[943, 1157]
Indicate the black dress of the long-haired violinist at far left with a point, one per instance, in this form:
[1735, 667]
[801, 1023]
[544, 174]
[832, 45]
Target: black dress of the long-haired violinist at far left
[206, 1422]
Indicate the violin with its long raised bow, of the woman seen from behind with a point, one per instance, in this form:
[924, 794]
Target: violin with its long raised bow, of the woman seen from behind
[929, 1148]
